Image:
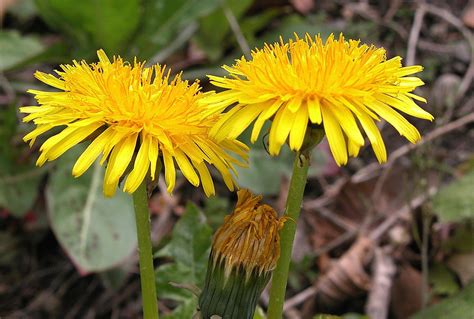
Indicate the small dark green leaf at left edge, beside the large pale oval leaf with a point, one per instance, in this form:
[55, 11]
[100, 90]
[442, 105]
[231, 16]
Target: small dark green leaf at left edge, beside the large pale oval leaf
[19, 192]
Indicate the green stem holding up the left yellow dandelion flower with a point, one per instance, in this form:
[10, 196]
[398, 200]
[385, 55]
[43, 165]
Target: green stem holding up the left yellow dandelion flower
[147, 271]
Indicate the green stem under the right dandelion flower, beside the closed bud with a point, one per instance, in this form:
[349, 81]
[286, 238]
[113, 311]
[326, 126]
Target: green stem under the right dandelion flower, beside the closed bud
[287, 235]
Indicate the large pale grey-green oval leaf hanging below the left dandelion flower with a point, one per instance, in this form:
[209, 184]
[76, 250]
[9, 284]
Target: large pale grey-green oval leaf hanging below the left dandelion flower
[97, 233]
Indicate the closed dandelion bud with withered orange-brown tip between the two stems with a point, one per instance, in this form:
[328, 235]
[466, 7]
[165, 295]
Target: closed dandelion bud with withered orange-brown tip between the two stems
[245, 250]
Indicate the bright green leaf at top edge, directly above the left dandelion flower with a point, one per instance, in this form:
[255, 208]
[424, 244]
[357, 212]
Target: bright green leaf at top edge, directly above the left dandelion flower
[93, 24]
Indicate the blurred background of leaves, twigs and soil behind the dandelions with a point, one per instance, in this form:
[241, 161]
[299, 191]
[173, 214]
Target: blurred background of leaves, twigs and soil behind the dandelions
[391, 241]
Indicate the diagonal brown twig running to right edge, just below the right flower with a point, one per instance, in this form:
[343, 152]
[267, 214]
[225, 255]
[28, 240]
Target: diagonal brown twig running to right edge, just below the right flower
[370, 170]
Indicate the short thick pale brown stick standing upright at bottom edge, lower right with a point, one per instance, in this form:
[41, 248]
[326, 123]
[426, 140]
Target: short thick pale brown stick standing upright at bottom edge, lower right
[379, 296]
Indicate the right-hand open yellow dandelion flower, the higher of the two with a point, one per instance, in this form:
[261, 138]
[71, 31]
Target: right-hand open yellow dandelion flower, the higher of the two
[342, 85]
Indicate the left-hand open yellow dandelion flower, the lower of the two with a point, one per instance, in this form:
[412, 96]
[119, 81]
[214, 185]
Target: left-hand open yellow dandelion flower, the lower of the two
[133, 114]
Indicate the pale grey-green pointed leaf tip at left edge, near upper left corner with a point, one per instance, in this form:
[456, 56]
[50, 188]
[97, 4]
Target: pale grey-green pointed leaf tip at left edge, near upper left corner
[16, 49]
